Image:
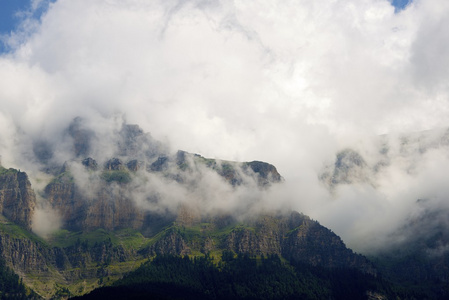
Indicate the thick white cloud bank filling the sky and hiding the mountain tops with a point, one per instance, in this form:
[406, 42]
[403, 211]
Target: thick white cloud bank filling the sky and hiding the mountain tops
[348, 99]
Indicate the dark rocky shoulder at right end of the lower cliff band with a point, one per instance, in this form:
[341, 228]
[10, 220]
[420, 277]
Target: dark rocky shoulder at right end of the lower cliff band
[295, 237]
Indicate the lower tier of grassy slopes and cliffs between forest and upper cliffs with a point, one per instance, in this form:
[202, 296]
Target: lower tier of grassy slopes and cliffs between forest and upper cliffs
[78, 261]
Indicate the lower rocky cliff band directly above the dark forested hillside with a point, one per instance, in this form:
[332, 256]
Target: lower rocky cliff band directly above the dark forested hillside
[294, 236]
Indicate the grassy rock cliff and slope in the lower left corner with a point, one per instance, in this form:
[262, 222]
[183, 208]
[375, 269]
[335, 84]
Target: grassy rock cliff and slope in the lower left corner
[43, 267]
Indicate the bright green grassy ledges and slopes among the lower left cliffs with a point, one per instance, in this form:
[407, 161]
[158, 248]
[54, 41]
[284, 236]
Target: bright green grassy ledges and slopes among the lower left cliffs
[54, 282]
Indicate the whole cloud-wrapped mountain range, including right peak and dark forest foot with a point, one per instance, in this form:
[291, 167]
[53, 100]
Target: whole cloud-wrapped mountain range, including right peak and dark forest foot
[107, 201]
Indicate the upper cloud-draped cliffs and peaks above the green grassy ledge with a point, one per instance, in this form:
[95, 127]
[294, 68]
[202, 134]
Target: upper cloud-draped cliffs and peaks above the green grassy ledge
[126, 189]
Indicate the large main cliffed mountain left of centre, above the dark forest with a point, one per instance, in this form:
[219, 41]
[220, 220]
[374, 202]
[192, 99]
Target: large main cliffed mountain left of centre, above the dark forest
[120, 198]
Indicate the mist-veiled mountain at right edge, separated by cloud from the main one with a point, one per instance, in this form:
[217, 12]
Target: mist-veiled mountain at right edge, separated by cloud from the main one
[414, 253]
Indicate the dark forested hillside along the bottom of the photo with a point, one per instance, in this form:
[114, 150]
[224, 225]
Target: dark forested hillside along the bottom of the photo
[241, 277]
